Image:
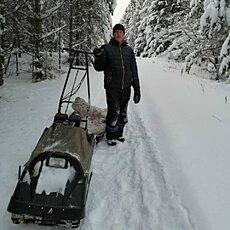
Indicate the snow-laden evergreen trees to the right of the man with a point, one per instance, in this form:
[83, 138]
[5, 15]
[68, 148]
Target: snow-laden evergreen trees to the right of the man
[191, 31]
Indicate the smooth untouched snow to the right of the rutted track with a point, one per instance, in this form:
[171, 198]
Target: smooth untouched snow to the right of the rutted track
[193, 125]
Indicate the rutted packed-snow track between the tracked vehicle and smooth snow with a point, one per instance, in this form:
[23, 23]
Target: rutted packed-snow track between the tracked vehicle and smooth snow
[129, 189]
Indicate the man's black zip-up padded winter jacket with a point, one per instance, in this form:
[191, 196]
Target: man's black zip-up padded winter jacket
[119, 65]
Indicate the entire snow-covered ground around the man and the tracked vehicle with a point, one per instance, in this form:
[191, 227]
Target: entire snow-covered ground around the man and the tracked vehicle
[172, 173]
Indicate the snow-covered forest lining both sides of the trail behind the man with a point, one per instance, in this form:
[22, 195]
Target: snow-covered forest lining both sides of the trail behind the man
[195, 32]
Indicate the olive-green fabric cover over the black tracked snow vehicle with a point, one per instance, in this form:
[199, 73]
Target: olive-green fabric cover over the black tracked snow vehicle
[66, 139]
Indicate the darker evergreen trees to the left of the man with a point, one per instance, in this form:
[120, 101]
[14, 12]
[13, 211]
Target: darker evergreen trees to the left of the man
[40, 27]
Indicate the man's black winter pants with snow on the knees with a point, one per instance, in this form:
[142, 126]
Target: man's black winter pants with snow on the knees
[117, 104]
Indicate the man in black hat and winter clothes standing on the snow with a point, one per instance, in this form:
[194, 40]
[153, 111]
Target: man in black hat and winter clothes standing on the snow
[118, 62]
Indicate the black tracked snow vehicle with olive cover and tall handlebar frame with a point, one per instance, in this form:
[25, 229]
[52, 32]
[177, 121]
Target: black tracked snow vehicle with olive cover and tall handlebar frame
[53, 187]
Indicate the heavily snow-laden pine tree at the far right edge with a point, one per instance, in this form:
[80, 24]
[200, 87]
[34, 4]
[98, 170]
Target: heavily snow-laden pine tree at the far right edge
[215, 26]
